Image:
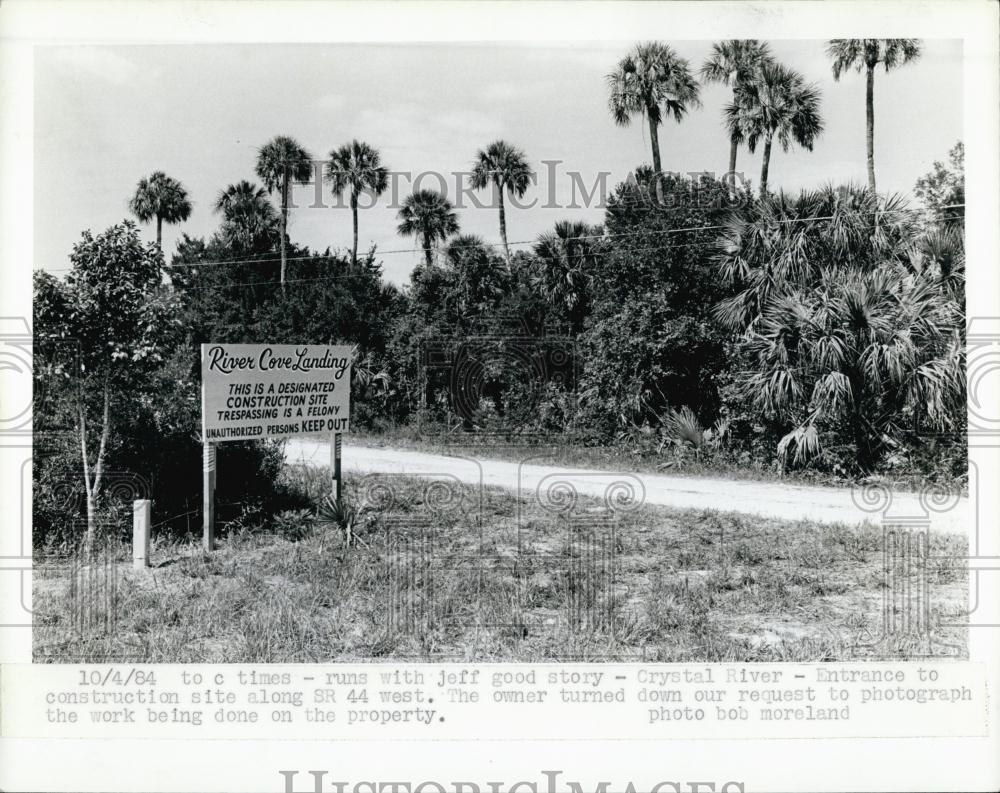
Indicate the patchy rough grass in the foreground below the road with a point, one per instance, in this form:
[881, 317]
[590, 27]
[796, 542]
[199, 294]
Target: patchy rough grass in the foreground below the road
[479, 576]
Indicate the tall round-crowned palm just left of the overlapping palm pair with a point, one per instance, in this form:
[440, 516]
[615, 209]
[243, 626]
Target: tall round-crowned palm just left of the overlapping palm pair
[652, 81]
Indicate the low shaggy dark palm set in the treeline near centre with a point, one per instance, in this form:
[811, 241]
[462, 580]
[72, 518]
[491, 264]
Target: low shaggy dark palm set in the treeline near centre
[566, 257]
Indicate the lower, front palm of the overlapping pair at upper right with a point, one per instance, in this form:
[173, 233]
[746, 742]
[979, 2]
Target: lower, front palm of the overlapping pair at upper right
[776, 103]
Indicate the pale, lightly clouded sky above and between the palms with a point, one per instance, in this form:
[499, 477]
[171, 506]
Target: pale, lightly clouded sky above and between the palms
[107, 116]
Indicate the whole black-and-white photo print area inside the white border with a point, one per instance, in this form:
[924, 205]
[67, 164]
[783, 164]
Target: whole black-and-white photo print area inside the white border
[638, 337]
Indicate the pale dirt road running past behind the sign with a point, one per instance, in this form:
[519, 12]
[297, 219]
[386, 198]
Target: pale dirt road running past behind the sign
[769, 499]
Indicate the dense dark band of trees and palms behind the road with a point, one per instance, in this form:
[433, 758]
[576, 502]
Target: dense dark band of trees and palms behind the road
[702, 321]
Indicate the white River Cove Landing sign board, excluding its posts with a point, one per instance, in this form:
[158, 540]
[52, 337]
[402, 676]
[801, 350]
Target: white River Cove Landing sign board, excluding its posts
[252, 391]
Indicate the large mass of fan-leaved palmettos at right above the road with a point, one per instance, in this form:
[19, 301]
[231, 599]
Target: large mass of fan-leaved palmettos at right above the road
[846, 325]
